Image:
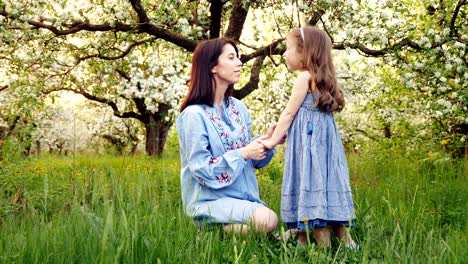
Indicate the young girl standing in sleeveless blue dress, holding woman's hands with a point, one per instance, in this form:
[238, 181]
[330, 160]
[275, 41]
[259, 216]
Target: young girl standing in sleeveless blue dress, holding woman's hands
[316, 192]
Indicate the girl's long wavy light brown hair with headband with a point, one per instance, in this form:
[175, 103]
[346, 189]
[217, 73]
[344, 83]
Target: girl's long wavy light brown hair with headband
[317, 59]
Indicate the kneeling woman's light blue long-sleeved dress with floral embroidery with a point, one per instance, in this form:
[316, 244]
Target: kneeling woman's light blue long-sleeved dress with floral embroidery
[217, 184]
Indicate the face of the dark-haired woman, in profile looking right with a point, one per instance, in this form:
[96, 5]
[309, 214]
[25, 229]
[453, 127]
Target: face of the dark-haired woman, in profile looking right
[228, 68]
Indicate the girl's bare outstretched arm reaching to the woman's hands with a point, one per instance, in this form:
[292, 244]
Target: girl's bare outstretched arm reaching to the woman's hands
[298, 94]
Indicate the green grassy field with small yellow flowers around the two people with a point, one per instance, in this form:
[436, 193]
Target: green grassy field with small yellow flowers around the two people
[127, 210]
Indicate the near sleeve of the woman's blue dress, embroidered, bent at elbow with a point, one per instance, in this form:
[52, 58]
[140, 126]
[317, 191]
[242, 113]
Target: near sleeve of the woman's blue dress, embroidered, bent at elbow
[212, 172]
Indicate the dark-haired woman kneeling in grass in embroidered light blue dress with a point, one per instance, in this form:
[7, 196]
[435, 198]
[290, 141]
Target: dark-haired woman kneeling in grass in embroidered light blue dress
[217, 155]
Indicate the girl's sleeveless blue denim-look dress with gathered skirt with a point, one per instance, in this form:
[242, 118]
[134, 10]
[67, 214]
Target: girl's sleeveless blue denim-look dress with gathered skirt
[315, 178]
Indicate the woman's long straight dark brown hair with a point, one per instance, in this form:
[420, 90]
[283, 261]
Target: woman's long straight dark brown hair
[202, 85]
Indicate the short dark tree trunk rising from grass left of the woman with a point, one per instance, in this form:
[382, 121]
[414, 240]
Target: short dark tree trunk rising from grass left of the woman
[156, 134]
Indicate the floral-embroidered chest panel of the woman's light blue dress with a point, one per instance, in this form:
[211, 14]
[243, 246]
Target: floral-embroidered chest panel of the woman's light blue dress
[230, 140]
